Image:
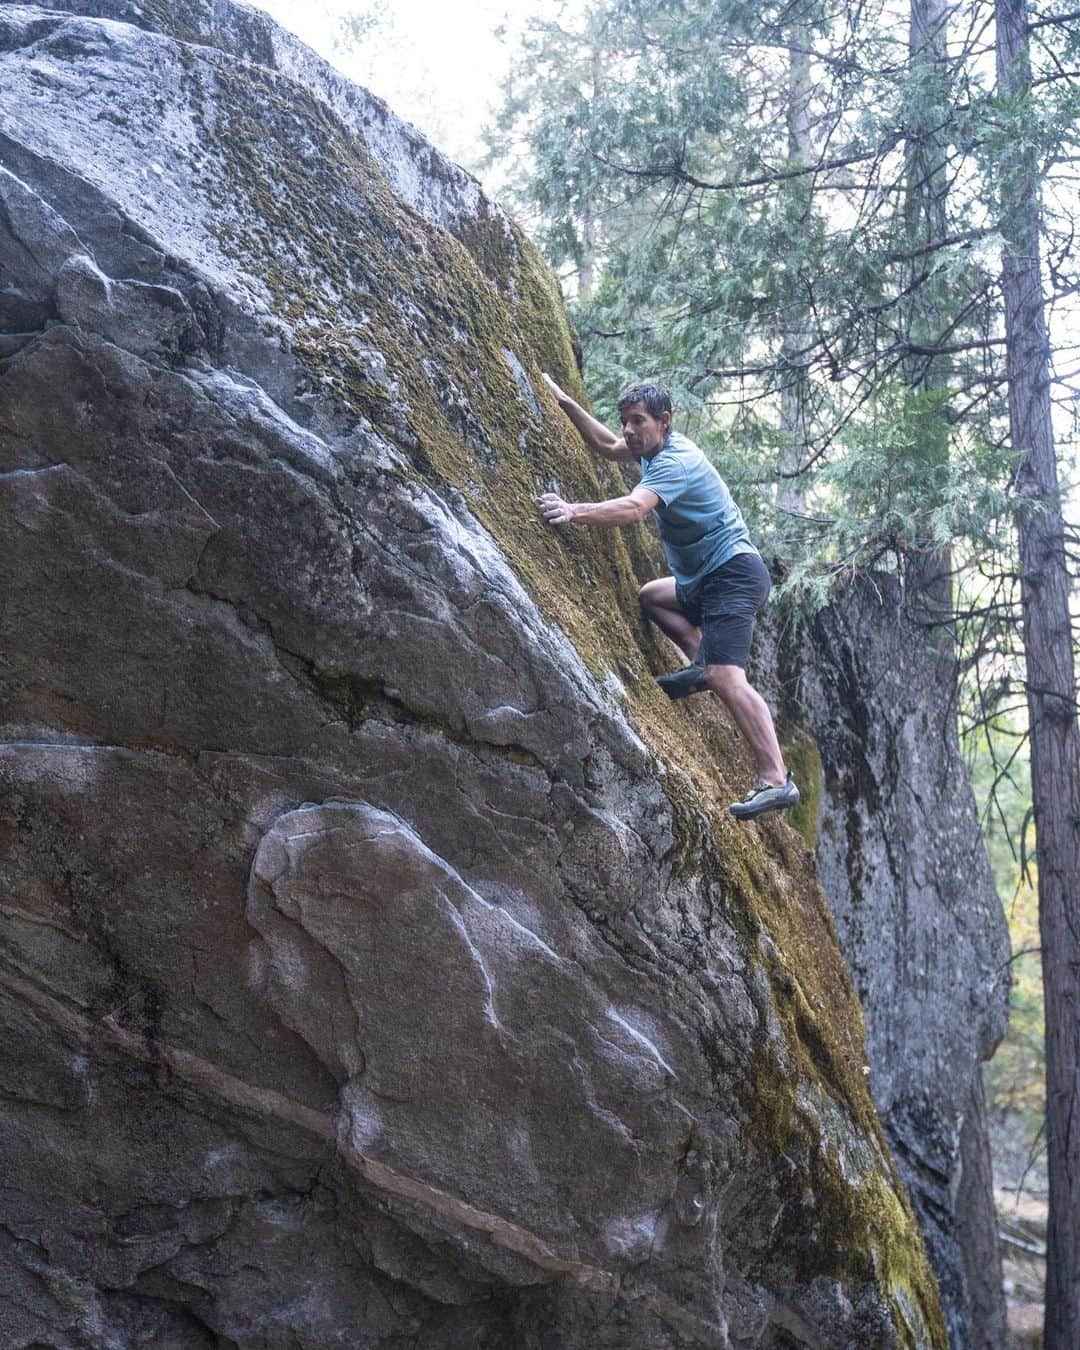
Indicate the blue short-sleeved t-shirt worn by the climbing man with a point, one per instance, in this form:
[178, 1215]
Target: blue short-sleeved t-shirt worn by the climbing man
[700, 526]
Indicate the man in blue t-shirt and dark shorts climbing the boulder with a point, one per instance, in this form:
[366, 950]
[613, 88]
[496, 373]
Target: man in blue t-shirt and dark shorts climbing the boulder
[720, 581]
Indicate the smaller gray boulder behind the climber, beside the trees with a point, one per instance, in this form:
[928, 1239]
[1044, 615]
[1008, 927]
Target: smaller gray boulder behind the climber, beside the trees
[902, 862]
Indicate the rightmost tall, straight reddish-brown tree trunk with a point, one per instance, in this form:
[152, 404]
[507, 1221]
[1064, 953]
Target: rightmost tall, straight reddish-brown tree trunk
[1051, 684]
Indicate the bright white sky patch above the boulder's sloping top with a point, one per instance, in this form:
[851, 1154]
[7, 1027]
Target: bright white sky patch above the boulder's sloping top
[437, 63]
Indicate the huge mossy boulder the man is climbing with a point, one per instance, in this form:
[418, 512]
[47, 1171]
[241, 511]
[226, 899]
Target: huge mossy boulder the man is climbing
[356, 851]
